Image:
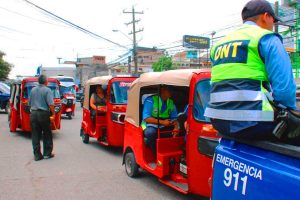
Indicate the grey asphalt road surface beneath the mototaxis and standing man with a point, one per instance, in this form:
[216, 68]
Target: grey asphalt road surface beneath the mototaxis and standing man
[78, 171]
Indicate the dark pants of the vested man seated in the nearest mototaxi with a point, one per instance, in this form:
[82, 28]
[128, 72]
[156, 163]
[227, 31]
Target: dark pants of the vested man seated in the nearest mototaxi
[150, 134]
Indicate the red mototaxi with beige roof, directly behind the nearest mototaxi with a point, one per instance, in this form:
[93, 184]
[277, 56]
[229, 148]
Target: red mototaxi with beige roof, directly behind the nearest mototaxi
[109, 127]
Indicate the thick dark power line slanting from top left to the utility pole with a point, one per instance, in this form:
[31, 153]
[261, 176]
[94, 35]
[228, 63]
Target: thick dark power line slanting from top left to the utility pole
[72, 24]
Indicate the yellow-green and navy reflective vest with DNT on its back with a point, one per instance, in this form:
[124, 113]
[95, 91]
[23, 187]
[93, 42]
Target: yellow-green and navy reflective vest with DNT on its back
[238, 78]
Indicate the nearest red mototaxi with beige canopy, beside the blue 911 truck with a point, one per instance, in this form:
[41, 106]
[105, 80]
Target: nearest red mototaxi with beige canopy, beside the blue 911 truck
[194, 174]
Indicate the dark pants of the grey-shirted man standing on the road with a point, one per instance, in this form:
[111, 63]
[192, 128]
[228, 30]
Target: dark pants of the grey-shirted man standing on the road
[41, 126]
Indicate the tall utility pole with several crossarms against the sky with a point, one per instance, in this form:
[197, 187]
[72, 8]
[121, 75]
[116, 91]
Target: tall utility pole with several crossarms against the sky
[133, 12]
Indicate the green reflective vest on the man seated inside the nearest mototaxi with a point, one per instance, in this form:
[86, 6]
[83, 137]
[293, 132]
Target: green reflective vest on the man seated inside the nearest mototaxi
[156, 110]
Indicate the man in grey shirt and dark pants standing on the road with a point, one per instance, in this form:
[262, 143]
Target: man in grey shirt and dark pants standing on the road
[42, 107]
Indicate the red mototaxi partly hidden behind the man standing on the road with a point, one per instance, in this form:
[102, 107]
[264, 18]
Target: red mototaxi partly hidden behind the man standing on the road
[19, 110]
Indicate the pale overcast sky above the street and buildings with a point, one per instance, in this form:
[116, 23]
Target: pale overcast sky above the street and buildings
[30, 38]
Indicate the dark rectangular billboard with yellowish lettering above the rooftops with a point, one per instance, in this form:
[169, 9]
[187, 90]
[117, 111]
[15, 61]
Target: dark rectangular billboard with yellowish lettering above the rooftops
[196, 42]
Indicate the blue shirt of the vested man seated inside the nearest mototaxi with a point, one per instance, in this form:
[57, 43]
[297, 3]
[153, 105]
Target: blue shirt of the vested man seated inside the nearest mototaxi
[148, 106]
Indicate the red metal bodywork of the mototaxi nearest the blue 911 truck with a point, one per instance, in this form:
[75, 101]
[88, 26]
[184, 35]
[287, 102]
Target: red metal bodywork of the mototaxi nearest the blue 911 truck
[199, 166]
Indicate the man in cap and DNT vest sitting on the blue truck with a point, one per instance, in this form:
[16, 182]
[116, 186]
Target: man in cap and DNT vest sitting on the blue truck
[250, 66]
